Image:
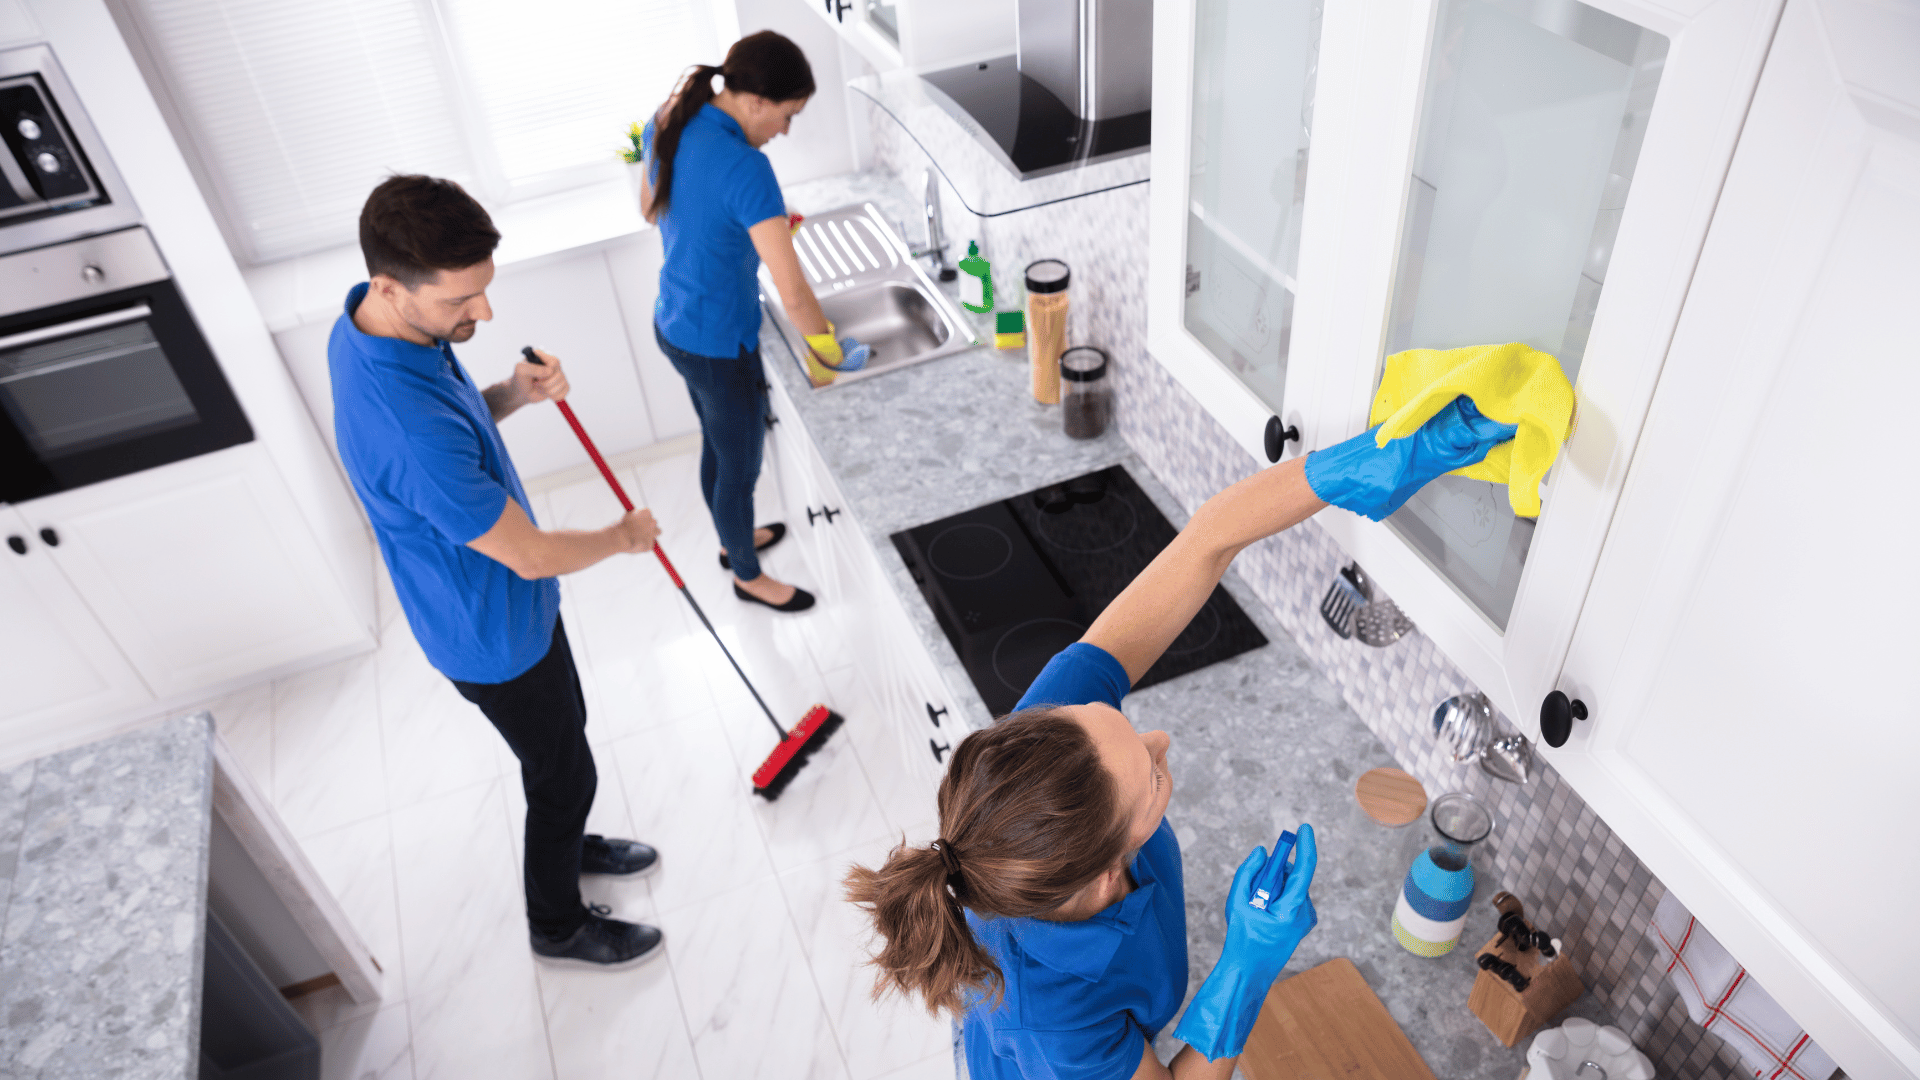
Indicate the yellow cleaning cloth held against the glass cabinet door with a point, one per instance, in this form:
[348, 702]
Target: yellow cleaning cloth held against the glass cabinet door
[1508, 383]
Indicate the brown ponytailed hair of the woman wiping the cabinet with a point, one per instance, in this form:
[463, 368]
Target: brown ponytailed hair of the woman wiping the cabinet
[1030, 816]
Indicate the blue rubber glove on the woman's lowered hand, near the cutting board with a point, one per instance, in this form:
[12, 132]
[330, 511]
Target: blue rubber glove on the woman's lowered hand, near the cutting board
[1259, 946]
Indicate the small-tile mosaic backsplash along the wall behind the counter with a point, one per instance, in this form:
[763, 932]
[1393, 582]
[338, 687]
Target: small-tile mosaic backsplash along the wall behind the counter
[1577, 879]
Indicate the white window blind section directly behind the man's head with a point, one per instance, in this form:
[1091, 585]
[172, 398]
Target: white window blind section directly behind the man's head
[297, 110]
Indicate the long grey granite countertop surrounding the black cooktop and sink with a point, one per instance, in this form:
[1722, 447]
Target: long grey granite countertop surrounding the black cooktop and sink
[1260, 743]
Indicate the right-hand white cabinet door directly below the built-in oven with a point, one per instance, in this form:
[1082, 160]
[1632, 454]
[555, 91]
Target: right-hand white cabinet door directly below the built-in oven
[201, 572]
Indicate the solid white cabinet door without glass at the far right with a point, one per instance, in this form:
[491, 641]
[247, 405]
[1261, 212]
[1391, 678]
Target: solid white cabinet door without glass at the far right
[1748, 729]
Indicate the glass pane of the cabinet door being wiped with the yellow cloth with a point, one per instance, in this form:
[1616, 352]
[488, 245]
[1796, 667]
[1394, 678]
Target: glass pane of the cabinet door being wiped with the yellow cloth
[1531, 126]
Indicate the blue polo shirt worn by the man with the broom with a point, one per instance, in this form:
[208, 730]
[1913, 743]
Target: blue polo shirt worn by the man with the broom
[427, 462]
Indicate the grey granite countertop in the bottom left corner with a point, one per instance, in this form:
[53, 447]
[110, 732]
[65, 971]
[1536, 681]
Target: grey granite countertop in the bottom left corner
[105, 866]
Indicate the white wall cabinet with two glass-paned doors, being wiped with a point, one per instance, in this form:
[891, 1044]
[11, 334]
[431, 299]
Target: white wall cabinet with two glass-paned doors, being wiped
[1477, 172]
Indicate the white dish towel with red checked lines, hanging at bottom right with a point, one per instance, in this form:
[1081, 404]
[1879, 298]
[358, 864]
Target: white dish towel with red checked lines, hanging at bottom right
[1727, 1002]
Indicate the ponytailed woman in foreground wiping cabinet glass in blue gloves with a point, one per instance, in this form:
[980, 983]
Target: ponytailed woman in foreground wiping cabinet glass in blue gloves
[1051, 914]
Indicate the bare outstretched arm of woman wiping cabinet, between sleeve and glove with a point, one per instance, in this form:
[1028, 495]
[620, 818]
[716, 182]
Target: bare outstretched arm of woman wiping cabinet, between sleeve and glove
[1145, 620]
